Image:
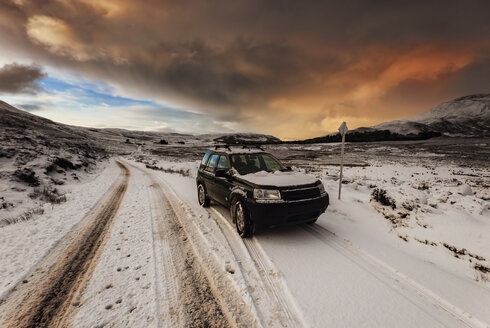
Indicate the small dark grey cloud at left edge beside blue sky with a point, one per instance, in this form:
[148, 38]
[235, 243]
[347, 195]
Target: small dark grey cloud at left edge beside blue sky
[16, 78]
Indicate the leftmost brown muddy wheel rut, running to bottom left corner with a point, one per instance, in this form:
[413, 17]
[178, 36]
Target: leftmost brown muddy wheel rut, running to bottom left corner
[47, 300]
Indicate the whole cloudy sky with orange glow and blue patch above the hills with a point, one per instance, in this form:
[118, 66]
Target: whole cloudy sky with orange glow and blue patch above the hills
[292, 69]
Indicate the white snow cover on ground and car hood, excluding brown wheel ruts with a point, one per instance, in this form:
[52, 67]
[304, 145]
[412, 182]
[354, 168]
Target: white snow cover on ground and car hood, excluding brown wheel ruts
[361, 264]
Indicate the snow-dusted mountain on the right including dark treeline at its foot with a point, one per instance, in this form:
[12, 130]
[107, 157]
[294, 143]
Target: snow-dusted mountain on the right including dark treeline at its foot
[467, 116]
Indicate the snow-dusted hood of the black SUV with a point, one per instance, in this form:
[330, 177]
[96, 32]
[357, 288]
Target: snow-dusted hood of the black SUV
[278, 178]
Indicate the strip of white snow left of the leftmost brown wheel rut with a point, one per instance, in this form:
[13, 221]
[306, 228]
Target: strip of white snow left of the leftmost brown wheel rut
[25, 243]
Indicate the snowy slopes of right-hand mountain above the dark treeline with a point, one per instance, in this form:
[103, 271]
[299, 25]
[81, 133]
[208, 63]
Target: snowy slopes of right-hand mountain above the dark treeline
[465, 116]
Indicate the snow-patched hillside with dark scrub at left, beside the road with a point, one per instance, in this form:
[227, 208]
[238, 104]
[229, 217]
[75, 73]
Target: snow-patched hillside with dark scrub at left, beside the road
[38, 160]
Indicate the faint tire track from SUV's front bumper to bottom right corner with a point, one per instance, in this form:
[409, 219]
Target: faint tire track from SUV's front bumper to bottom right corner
[448, 314]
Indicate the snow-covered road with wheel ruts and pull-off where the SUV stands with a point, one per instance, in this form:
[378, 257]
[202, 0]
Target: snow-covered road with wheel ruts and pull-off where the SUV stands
[167, 262]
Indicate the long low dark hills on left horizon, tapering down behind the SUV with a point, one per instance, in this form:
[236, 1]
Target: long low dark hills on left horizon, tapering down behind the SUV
[20, 125]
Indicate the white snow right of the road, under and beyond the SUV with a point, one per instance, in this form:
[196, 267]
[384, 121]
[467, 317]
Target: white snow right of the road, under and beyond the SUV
[362, 266]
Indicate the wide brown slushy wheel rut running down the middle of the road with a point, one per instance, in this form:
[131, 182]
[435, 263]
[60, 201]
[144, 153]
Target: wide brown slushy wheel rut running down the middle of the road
[184, 291]
